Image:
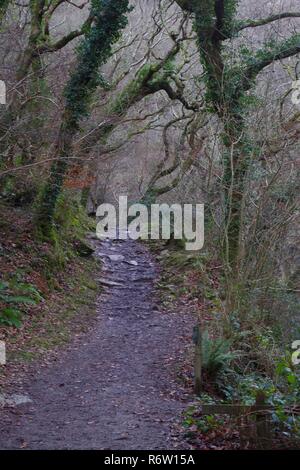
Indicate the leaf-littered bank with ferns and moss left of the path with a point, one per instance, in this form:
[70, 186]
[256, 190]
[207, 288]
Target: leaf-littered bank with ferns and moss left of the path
[35, 272]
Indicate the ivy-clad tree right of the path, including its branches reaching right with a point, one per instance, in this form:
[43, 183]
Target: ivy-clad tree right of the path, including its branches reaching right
[226, 87]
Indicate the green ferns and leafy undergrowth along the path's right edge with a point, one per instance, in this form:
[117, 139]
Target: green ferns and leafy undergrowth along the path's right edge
[241, 353]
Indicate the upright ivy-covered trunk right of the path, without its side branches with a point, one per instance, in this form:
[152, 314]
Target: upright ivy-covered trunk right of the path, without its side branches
[214, 21]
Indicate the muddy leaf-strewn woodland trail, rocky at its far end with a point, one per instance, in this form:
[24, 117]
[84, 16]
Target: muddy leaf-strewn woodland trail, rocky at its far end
[116, 388]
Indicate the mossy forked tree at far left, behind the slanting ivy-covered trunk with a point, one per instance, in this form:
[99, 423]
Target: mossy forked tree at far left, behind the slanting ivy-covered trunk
[29, 74]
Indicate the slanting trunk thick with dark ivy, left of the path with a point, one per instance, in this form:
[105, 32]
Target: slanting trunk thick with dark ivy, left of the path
[110, 16]
